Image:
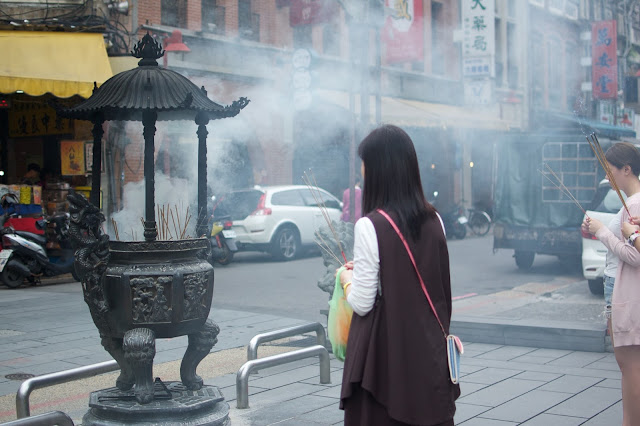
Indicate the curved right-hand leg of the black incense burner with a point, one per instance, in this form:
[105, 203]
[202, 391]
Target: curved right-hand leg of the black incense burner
[200, 345]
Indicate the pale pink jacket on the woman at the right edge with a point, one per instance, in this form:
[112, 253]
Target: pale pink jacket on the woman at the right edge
[625, 316]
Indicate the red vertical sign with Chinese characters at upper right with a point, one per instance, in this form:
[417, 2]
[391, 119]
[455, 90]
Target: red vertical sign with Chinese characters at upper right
[604, 66]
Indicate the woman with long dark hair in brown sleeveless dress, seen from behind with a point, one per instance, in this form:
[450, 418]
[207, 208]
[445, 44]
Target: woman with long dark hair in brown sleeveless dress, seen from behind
[395, 370]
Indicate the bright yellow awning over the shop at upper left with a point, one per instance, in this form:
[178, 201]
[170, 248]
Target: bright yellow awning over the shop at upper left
[63, 64]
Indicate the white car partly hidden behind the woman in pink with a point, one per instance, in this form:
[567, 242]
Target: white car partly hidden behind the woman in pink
[605, 205]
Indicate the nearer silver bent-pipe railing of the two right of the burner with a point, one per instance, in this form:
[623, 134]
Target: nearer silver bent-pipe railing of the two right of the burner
[242, 377]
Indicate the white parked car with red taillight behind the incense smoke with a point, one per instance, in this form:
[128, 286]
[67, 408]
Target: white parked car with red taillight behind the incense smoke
[277, 219]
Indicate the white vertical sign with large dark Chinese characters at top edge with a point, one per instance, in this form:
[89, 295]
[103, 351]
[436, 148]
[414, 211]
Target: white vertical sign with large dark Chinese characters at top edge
[478, 27]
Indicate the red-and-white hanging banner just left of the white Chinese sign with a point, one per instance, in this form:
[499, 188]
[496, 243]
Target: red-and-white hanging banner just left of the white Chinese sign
[403, 34]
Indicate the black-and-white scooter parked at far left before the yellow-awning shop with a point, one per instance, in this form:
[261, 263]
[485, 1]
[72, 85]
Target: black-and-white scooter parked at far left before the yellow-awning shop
[25, 254]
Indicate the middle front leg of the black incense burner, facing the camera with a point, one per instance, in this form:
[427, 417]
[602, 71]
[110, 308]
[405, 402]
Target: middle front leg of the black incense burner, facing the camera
[139, 347]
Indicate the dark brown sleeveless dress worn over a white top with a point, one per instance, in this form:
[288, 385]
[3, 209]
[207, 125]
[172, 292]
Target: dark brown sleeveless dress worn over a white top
[396, 371]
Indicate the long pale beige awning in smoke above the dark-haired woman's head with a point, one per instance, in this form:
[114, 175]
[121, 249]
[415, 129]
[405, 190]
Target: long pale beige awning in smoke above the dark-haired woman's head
[402, 112]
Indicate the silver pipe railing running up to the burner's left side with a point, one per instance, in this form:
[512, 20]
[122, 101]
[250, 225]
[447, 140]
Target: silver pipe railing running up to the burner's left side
[29, 385]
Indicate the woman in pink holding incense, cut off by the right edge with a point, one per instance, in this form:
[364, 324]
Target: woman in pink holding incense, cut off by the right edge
[623, 162]
